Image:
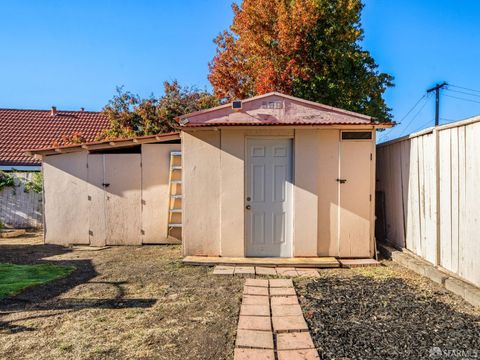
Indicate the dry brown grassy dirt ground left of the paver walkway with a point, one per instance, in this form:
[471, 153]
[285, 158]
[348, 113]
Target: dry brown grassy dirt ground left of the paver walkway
[120, 303]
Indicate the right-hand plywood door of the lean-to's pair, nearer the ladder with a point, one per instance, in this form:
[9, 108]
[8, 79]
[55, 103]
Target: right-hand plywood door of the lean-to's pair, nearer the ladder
[123, 199]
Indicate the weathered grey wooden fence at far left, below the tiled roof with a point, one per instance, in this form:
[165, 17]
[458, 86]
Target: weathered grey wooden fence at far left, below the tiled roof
[20, 208]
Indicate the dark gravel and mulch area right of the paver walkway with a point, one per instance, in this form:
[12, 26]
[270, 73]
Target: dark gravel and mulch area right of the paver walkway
[387, 312]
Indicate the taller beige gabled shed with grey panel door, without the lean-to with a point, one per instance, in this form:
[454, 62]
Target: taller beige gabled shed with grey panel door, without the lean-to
[278, 176]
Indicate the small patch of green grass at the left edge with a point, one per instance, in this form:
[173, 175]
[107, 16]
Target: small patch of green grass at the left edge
[16, 278]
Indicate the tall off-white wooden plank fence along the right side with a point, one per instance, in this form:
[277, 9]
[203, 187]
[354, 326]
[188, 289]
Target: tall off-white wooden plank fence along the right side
[430, 184]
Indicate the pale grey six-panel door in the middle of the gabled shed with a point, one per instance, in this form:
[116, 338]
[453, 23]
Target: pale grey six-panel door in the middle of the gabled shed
[268, 202]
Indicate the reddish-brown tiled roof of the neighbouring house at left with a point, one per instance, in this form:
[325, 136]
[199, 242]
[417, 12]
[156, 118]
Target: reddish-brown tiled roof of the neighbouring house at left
[26, 129]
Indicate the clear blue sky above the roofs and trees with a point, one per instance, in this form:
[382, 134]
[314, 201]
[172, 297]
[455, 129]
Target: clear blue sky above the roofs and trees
[73, 54]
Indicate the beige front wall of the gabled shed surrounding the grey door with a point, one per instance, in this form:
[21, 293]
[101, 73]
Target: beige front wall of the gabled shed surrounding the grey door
[214, 177]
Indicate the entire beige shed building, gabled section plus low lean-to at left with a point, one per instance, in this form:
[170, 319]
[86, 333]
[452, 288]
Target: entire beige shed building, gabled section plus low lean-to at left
[269, 176]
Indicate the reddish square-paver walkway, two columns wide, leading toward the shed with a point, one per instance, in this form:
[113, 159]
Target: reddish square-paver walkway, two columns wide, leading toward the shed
[271, 324]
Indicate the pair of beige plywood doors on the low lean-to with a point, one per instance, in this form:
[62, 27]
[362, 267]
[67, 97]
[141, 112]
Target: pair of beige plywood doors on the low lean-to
[115, 199]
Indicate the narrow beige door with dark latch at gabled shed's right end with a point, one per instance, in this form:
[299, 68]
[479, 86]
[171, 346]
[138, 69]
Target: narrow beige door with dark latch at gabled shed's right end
[355, 198]
